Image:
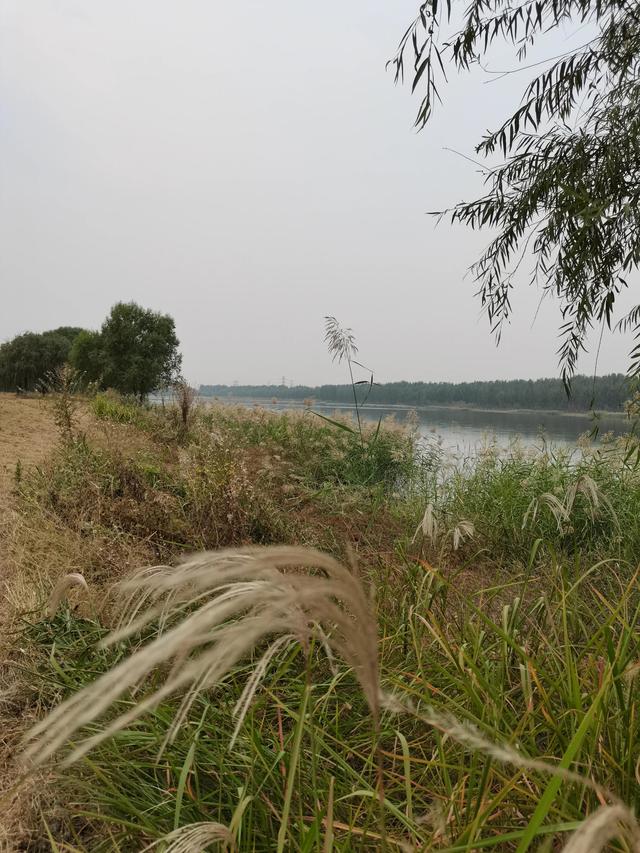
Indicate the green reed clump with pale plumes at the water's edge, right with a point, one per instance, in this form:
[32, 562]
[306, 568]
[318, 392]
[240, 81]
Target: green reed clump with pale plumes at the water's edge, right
[586, 504]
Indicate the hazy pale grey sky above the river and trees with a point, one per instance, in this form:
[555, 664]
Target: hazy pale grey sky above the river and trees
[249, 168]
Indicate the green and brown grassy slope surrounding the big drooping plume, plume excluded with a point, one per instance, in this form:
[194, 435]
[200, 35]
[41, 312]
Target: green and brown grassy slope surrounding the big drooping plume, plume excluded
[513, 609]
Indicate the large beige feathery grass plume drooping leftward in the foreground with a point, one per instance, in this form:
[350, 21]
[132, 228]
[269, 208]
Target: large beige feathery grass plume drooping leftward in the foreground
[215, 609]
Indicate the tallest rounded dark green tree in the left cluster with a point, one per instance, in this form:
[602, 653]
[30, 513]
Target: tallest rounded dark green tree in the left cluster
[138, 349]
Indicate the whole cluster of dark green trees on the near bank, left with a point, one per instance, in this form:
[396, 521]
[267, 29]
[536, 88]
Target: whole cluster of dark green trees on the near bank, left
[135, 352]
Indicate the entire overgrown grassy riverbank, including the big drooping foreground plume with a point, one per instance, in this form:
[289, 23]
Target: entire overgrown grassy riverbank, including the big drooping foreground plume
[490, 608]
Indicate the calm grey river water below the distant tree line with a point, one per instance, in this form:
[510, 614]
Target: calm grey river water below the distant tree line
[467, 429]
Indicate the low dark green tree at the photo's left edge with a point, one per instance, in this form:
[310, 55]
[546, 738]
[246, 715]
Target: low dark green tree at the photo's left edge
[27, 359]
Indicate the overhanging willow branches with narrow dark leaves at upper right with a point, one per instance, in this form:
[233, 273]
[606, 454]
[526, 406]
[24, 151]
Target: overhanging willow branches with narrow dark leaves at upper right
[567, 192]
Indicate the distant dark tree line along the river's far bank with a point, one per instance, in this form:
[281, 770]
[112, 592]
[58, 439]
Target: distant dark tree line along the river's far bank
[605, 393]
